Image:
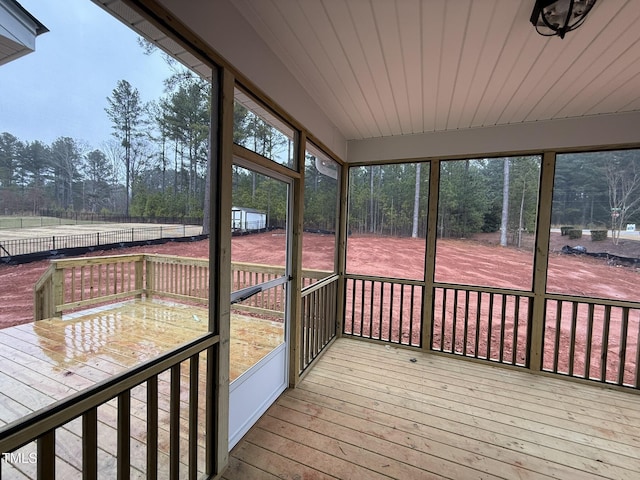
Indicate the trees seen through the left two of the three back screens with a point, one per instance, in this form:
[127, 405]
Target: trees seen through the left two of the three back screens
[393, 199]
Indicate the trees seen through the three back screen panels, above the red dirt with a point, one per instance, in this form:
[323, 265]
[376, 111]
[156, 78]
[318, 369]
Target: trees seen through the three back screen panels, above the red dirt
[591, 190]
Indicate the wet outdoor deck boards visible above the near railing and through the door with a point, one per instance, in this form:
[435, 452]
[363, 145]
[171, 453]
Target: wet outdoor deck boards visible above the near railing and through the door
[45, 361]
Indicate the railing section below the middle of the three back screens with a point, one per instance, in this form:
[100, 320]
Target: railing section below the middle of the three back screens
[490, 324]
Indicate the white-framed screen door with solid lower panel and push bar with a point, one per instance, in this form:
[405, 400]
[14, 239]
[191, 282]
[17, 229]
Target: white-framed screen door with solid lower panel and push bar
[260, 294]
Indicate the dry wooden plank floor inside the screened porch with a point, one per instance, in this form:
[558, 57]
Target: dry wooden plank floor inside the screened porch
[369, 411]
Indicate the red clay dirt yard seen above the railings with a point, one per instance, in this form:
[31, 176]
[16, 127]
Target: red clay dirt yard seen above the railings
[468, 261]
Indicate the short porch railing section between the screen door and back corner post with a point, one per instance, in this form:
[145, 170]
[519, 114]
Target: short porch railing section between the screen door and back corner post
[319, 316]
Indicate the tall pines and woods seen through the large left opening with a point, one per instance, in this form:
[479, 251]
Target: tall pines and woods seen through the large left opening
[153, 164]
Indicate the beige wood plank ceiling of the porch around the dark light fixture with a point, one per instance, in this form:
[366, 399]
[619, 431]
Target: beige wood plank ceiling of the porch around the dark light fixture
[395, 67]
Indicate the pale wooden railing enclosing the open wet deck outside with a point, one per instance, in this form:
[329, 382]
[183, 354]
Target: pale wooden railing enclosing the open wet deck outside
[70, 284]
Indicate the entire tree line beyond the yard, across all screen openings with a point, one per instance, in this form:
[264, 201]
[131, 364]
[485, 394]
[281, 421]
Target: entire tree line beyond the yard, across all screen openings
[154, 164]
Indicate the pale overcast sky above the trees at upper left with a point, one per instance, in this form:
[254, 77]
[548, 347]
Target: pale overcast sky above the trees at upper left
[62, 87]
